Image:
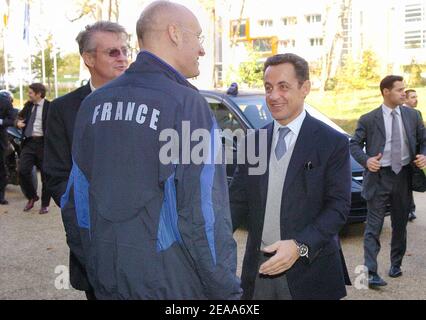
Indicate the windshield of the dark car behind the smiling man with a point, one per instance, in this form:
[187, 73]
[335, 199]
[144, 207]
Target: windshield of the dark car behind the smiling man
[257, 113]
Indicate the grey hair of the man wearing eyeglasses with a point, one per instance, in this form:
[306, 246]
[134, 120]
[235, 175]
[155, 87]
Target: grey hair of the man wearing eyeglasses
[84, 38]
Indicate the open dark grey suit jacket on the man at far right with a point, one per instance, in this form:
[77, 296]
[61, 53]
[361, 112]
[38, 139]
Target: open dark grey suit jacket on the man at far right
[371, 135]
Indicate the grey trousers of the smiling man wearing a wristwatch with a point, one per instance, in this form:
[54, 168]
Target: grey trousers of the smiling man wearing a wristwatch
[271, 287]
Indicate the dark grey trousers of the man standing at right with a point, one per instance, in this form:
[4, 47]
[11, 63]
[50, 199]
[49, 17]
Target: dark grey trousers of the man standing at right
[394, 190]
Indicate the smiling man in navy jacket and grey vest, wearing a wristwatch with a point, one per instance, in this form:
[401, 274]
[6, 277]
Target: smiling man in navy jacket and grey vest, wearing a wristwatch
[296, 209]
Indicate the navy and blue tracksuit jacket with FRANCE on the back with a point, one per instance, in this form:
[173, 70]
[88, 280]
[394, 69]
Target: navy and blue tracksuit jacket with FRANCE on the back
[143, 229]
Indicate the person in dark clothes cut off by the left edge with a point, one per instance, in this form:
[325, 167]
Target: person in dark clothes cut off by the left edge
[6, 120]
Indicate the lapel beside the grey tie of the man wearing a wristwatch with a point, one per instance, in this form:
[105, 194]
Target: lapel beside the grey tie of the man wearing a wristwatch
[304, 145]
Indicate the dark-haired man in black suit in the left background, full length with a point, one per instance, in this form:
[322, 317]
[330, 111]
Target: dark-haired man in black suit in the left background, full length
[32, 120]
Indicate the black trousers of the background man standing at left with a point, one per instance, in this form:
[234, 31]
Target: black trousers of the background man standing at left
[32, 155]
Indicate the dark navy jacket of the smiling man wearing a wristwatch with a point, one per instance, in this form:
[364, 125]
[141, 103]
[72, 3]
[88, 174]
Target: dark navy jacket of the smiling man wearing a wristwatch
[314, 208]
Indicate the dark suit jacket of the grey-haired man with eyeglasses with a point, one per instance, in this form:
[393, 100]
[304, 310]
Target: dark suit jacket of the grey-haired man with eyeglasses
[58, 162]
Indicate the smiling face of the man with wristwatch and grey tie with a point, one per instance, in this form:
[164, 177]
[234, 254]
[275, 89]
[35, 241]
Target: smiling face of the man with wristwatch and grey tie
[285, 96]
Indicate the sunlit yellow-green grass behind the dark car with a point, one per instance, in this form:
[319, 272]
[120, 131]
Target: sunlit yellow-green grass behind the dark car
[345, 108]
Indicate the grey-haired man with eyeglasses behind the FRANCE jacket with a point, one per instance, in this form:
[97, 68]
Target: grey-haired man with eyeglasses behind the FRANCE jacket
[103, 47]
